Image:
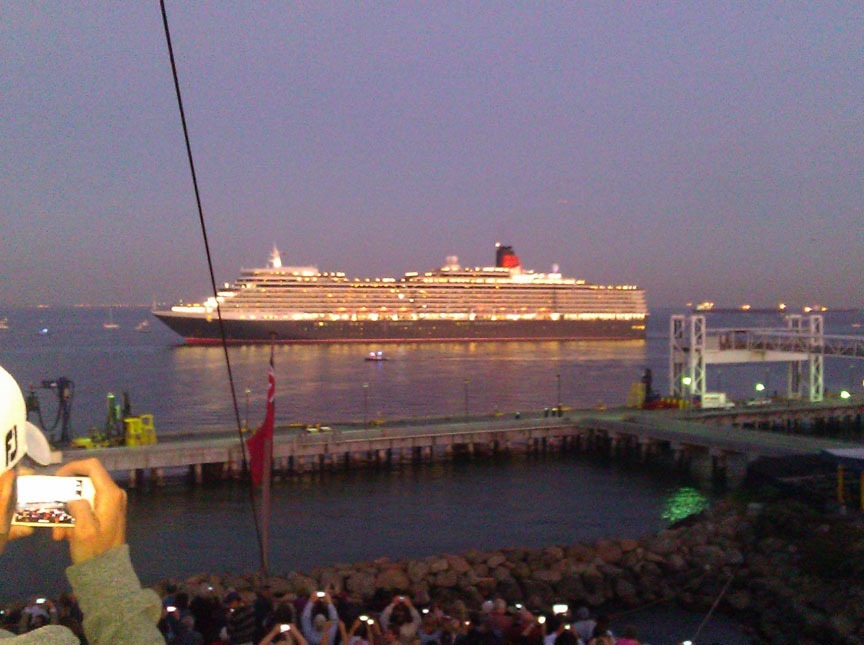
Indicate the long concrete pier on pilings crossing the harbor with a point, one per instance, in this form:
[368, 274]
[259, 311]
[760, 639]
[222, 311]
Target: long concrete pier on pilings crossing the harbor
[708, 444]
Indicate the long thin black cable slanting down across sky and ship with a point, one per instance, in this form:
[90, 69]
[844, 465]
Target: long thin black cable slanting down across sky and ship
[212, 281]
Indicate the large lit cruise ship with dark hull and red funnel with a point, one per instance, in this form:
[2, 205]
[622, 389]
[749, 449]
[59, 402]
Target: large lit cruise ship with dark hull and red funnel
[297, 304]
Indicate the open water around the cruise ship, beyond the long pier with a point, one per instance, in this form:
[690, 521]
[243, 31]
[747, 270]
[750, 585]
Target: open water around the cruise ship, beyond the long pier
[187, 388]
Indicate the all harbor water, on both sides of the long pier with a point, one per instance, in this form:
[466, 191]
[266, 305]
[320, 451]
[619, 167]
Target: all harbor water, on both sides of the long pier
[345, 517]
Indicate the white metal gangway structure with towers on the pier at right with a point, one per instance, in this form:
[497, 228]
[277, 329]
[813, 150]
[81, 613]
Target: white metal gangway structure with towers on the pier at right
[692, 347]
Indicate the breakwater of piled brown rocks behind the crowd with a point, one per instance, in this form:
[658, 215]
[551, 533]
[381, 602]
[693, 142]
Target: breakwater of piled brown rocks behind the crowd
[790, 573]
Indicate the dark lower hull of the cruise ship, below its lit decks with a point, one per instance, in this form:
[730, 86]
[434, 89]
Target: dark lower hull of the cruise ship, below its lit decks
[204, 330]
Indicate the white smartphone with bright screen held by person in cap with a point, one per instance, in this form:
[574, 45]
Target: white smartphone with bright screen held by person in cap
[41, 499]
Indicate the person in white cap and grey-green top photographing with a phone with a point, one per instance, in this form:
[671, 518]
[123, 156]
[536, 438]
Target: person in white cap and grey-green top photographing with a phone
[115, 607]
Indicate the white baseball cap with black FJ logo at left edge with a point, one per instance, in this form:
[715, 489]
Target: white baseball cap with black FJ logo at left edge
[17, 435]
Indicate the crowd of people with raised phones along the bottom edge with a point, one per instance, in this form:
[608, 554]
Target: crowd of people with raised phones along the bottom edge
[331, 618]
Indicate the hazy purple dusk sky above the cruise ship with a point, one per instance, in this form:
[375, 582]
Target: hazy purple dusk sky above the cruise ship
[702, 150]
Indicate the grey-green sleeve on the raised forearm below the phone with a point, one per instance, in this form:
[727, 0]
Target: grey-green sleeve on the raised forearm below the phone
[116, 609]
